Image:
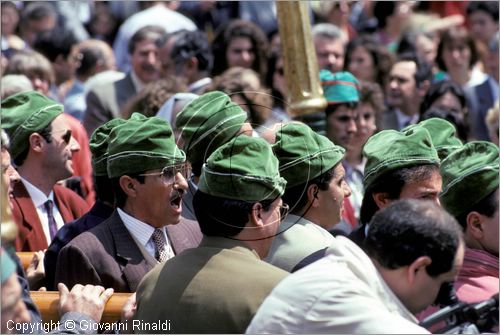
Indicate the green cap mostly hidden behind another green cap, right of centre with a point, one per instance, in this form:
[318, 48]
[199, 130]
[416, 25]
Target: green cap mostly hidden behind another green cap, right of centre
[442, 135]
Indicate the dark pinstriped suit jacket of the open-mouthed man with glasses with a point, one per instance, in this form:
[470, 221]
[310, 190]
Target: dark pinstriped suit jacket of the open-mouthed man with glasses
[107, 255]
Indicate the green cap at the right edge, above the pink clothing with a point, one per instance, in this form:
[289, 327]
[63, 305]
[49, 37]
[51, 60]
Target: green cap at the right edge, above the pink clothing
[469, 175]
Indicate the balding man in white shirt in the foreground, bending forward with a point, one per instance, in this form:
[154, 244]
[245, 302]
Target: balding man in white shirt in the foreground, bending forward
[412, 253]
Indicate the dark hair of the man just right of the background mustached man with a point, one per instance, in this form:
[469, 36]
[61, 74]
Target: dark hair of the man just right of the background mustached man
[190, 44]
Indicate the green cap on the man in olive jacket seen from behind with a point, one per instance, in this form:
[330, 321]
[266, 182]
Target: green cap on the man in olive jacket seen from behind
[245, 169]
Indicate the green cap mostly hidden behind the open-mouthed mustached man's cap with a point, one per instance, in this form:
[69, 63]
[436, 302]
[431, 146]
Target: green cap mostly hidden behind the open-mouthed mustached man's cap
[99, 146]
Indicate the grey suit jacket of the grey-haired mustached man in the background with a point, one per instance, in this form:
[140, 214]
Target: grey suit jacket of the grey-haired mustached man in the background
[105, 102]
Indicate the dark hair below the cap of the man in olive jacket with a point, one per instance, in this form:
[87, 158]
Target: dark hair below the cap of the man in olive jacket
[223, 217]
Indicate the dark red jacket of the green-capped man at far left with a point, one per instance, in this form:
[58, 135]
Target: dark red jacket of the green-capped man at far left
[31, 236]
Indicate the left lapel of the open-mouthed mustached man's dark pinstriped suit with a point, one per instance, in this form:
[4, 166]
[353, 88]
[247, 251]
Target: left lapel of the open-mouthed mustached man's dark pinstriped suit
[135, 266]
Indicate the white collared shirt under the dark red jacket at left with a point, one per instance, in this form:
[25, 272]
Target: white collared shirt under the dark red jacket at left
[39, 199]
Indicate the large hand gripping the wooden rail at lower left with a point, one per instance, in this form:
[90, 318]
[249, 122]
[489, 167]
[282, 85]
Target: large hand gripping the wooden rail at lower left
[88, 299]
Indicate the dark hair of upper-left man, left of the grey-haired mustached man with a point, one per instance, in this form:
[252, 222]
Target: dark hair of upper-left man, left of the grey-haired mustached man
[54, 43]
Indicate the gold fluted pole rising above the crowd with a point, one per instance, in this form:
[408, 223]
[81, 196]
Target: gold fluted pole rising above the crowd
[299, 57]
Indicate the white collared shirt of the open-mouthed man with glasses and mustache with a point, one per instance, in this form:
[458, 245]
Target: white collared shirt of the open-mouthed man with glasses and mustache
[142, 232]
